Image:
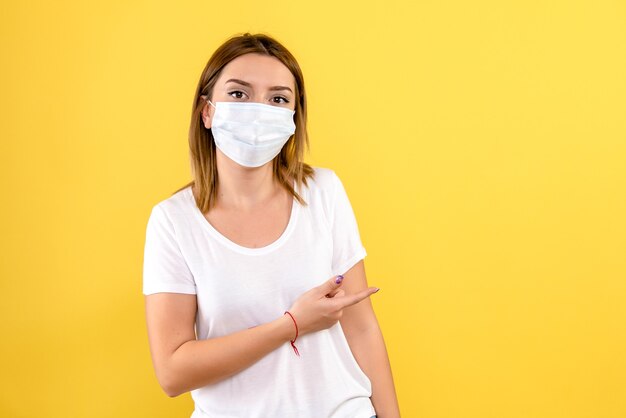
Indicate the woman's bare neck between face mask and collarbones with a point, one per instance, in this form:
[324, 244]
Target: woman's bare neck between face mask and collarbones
[243, 187]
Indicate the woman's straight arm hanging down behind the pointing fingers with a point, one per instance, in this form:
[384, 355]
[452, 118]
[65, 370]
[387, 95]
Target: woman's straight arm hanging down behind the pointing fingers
[366, 341]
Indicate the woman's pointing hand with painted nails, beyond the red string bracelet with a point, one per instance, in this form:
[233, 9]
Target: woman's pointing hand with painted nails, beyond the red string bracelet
[321, 307]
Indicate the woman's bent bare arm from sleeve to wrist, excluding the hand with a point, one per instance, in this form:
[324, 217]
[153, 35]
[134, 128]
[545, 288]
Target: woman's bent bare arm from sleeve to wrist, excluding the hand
[183, 363]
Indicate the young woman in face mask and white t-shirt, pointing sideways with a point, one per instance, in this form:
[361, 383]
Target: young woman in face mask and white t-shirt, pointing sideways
[256, 295]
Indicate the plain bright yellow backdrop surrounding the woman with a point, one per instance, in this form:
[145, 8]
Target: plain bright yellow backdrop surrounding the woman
[482, 144]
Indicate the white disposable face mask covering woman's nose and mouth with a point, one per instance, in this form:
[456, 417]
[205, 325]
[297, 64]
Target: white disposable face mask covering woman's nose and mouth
[251, 134]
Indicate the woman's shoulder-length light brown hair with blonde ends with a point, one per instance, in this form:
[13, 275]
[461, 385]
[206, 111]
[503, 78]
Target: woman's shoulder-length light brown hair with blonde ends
[288, 165]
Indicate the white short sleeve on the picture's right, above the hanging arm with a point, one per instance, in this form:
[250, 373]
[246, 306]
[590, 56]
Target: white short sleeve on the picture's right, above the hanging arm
[347, 247]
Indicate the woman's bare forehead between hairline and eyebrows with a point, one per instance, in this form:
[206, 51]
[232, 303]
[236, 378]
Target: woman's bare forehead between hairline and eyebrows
[258, 70]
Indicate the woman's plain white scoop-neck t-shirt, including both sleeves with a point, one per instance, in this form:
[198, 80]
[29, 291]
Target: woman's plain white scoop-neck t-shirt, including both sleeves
[239, 287]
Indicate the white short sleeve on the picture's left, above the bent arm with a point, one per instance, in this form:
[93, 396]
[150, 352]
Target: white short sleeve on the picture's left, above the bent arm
[164, 268]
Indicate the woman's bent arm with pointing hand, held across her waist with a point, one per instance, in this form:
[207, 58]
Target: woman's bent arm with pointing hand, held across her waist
[183, 363]
